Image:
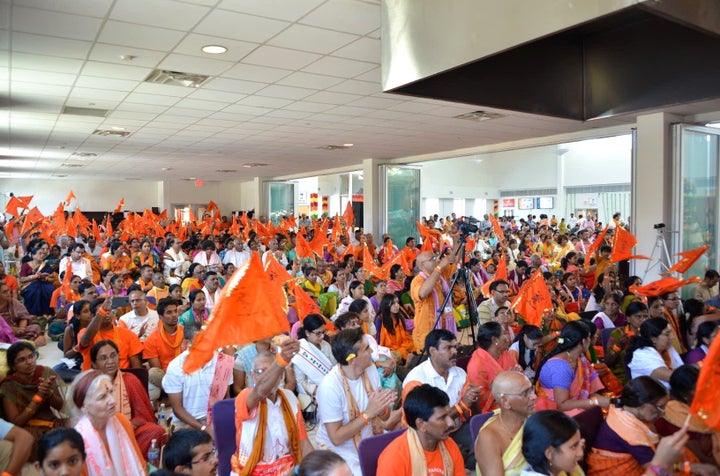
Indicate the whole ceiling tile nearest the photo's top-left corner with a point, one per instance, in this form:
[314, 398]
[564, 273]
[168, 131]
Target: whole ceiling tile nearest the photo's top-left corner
[30, 20]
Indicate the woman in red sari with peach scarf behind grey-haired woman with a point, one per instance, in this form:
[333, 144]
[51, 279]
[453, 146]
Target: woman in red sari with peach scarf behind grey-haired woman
[131, 398]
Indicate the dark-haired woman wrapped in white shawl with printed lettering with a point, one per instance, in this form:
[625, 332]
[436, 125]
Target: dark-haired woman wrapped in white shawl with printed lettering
[313, 361]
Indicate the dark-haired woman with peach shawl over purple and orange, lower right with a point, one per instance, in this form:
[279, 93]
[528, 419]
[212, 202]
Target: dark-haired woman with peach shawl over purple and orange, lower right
[627, 440]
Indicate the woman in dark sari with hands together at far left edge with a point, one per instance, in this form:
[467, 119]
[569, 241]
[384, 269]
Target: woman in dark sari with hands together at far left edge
[30, 392]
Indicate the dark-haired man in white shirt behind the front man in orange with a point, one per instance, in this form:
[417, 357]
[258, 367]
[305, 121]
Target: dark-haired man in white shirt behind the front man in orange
[440, 371]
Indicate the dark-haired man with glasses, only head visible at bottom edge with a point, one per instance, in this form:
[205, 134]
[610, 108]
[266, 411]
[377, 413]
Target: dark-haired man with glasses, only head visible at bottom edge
[190, 451]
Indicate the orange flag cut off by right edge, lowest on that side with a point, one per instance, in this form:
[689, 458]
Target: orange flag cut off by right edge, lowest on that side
[707, 389]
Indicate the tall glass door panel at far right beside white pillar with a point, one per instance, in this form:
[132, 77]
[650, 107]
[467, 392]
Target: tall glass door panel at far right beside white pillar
[696, 205]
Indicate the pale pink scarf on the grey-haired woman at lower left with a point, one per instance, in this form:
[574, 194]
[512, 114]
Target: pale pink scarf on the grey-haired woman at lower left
[124, 458]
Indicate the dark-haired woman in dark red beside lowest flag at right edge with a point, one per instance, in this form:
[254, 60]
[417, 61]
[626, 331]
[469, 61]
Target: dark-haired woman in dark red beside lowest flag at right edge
[704, 441]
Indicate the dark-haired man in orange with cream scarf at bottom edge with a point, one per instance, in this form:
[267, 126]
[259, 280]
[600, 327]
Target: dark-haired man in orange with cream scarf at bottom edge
[426, 447]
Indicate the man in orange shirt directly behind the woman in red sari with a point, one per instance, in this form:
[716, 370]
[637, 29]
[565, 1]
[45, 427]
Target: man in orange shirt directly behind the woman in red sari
[101, 327]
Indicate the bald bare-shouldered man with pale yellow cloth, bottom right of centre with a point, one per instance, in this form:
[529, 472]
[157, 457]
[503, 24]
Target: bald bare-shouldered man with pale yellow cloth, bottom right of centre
[498, 447]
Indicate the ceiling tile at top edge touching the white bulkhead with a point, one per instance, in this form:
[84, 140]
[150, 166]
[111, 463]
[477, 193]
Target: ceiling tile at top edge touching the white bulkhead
[345, 15]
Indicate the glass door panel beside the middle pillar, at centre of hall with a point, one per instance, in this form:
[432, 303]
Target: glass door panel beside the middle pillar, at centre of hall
[400, 192]
